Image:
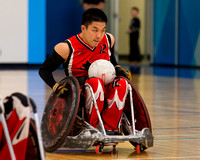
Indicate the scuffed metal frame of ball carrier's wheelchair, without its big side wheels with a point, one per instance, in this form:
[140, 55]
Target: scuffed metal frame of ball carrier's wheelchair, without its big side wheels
[89, 136]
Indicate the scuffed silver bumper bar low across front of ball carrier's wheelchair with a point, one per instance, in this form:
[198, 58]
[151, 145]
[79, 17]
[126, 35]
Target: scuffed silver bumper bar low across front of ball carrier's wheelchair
[91, 137]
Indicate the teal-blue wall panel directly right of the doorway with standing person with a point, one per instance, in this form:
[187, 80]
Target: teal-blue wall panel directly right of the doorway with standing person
[164, 18]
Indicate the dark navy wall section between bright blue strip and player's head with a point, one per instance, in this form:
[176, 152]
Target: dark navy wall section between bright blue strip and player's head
[63, 21]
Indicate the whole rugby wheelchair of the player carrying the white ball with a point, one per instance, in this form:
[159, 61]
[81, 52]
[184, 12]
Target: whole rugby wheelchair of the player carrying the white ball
[63, 124]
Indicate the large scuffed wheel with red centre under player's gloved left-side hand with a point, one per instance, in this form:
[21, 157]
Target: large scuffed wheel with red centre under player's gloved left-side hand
[59, 115]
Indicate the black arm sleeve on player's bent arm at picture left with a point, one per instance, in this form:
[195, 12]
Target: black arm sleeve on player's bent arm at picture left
[52, 62]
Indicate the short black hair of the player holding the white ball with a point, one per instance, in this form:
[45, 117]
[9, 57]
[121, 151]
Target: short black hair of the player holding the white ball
[93, 14]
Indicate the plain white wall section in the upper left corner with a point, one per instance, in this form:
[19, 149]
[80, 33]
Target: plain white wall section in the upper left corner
[13, 31]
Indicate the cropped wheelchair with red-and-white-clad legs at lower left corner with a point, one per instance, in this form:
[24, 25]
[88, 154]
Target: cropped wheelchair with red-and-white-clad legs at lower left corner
[20, 136]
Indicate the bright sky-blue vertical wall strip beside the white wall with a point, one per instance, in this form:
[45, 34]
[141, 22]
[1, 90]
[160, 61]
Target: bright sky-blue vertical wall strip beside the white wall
[36, 31]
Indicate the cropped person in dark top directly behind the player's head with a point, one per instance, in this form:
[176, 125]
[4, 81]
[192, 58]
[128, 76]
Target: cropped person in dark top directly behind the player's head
[87, 4]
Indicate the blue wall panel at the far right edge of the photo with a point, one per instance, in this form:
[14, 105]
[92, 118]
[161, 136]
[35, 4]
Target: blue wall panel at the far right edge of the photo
[189, 51]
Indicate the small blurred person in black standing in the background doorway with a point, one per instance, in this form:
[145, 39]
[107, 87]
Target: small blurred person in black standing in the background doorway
[133, 32]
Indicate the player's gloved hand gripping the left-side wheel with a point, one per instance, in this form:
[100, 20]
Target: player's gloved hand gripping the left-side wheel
[60, 90]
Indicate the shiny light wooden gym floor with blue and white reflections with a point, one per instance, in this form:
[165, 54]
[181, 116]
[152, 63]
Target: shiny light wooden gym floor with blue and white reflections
[171, 95]
